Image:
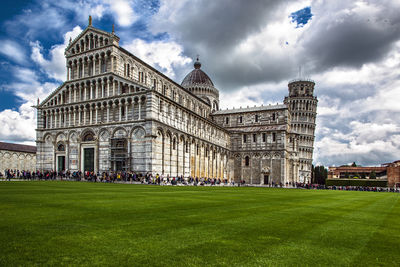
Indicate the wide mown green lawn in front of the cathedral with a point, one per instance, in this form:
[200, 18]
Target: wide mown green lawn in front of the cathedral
[75, 223]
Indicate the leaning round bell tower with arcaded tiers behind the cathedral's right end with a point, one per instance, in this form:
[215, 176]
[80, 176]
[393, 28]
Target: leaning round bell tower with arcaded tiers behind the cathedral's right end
[302, 105]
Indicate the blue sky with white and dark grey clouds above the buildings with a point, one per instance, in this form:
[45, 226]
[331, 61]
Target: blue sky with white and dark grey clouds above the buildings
[250, 49]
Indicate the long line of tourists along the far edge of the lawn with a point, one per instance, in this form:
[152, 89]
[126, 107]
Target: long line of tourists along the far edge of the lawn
[148, 178]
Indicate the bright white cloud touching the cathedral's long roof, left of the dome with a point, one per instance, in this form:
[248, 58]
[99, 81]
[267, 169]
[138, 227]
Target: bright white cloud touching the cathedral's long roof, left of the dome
[165, 55]
